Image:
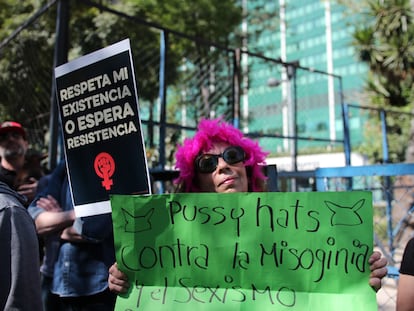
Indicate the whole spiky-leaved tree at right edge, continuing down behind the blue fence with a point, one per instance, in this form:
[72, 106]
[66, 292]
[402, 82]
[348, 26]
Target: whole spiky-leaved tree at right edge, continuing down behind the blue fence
[384, 41]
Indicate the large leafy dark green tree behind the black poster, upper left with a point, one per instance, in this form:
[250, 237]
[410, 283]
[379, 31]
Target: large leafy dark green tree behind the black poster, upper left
[26, 61]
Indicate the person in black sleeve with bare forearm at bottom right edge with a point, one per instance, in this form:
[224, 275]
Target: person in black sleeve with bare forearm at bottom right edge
[405, 289]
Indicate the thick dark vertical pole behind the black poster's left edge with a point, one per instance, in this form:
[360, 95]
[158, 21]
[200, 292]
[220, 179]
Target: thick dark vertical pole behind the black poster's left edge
[60, 57]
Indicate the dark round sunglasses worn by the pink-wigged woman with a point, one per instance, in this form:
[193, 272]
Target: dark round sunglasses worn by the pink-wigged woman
[207, 163]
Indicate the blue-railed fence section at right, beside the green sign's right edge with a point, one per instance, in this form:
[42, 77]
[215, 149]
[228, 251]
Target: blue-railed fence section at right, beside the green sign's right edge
[392, 187]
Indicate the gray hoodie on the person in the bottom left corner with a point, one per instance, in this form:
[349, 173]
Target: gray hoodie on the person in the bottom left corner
[19, 255]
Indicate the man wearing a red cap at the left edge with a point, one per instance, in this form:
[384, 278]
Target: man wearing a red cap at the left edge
[13, 148]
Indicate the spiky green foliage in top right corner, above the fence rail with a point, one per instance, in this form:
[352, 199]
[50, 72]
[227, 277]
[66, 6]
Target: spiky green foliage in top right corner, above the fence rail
[386, 45]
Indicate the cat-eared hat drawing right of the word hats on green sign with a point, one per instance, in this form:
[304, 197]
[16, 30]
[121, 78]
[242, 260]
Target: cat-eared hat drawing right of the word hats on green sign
[345, 215]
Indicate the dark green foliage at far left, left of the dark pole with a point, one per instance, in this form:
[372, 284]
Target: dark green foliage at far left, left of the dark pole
[25, 64]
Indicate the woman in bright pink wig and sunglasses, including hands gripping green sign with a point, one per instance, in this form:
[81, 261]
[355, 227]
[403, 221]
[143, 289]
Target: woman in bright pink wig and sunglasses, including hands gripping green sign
[219, 158]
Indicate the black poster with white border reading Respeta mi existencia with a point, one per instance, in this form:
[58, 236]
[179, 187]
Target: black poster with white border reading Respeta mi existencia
[104, 146]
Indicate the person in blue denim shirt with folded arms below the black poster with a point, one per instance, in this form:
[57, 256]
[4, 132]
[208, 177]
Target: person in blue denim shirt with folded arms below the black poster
[78, 251]
